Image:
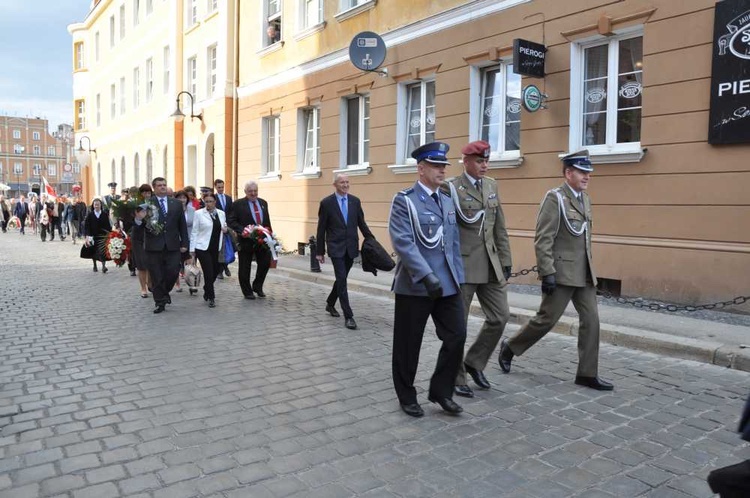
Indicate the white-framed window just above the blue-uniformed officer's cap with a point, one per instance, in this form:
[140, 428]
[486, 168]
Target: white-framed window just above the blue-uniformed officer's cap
[420, 115]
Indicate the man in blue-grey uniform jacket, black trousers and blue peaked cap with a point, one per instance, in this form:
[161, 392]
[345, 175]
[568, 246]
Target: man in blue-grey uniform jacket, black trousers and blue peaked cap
[428, 279]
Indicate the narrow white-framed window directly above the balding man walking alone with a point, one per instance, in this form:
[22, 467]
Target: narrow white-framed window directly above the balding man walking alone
[356, 131]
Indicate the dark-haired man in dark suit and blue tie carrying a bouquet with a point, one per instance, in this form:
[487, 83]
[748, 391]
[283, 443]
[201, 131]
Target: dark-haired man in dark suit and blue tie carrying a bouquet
[163, 246]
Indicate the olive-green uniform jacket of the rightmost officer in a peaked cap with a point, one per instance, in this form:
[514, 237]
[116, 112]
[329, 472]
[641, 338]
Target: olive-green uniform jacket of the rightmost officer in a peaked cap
[558, 250]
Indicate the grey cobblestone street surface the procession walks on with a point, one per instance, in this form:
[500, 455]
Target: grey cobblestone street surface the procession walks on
[101, 398]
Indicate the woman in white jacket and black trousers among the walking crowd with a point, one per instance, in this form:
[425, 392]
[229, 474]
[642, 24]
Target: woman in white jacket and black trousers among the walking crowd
[209, 227]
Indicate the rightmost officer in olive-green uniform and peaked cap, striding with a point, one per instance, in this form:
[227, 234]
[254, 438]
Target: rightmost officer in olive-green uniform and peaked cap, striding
[563, 254]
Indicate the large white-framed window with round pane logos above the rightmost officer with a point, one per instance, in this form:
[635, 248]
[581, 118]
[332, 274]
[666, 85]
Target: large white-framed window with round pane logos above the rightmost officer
[606, 86]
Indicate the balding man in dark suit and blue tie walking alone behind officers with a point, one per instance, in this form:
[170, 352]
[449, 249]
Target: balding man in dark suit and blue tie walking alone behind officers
[339, 216]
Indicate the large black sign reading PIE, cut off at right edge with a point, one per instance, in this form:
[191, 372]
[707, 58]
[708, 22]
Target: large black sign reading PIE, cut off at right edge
[729, 116]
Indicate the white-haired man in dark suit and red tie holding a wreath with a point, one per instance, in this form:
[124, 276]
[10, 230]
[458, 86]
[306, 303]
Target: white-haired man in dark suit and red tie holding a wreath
[250, 211]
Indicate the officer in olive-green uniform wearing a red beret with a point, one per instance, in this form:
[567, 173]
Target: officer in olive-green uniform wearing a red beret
[485, 251]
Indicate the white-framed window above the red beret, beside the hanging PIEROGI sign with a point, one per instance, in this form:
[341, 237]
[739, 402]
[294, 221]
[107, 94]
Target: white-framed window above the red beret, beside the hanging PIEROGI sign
[499, 117]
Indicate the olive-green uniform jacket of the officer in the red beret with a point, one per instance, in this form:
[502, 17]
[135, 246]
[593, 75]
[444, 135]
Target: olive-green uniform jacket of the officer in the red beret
[490, 249]
